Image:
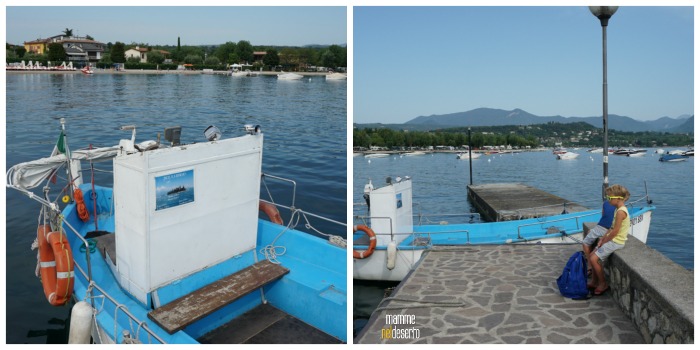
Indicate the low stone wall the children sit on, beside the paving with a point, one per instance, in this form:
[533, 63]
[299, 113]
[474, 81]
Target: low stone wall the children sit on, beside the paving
[656, 293]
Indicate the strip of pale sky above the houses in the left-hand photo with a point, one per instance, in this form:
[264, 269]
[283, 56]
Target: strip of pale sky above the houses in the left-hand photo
[274, 25]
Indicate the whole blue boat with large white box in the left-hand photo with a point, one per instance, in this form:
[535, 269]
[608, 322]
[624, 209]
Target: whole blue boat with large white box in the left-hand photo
[175, 251]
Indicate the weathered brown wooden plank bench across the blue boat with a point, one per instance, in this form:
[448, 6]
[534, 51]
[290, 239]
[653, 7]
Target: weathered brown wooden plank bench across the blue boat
[186, 310]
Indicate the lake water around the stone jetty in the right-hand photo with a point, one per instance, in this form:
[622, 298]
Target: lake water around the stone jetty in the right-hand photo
[440, 180]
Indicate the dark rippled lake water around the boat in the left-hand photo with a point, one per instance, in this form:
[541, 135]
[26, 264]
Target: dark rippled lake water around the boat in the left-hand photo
[304, 122]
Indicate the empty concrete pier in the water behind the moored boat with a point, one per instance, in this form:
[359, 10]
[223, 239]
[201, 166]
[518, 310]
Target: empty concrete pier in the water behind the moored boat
[515, 201]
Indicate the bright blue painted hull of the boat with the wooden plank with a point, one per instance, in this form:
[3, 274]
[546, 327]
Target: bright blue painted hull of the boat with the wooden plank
[314, 291]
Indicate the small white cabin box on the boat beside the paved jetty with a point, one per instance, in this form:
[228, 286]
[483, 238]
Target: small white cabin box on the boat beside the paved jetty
[391, 211]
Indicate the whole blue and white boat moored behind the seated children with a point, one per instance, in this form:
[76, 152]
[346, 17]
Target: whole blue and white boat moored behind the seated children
[389, 239]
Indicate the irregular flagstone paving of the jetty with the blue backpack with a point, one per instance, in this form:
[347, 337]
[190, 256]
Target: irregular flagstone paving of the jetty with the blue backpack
[502, 294]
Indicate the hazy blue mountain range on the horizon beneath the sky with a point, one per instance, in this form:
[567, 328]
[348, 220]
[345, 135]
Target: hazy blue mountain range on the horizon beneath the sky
[496, 117]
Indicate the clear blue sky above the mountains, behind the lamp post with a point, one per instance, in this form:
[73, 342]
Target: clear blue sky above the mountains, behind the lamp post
[414, 61]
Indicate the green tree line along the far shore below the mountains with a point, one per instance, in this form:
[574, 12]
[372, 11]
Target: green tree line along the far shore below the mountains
[547, 135]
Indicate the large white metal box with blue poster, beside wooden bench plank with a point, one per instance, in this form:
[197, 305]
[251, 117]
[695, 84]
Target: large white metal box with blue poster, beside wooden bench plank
[179, 210]
